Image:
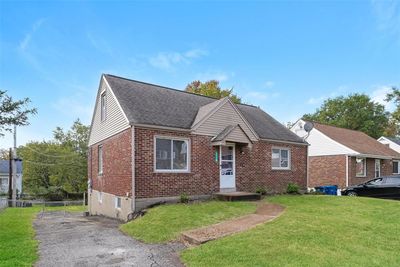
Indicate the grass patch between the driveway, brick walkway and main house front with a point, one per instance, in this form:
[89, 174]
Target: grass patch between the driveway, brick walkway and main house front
[165, 223]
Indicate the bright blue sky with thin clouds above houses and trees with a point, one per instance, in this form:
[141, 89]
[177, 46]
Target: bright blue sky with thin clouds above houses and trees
[286, 57]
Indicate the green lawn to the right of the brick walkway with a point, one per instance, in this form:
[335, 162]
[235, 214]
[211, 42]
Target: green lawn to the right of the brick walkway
[314, 231]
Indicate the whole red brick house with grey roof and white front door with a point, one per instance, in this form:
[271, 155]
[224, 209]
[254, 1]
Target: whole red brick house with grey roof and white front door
[150, 143]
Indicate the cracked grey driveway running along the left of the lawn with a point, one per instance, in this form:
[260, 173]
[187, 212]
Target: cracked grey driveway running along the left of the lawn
[75, 240]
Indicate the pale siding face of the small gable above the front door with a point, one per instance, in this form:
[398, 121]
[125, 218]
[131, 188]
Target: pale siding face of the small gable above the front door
[226, 114]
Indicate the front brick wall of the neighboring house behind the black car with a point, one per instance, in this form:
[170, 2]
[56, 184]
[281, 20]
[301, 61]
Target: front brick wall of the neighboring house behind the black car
[386, 169]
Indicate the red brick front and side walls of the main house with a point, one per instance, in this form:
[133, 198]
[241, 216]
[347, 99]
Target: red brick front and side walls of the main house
[253, 166]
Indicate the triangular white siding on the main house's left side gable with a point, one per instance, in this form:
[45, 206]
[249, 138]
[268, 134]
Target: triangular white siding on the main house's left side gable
[115, 121]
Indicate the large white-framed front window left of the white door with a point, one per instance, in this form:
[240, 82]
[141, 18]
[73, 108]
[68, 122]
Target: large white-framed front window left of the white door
[171, 154]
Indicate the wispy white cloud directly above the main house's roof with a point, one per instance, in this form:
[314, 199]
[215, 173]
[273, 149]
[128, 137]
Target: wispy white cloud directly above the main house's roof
[168, 60]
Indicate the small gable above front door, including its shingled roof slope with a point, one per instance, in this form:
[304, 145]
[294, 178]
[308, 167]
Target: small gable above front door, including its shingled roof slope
[219, 116]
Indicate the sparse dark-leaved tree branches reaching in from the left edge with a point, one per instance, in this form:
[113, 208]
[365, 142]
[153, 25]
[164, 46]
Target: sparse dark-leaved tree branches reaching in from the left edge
[13, 112]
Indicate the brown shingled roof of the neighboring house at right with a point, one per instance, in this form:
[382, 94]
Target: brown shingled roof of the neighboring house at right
[356, 140]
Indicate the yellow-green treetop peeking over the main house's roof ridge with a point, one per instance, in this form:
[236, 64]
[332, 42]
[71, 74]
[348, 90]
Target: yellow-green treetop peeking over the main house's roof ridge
[212, 88]
